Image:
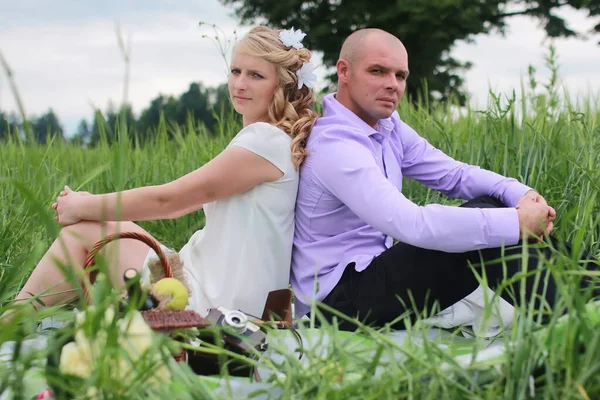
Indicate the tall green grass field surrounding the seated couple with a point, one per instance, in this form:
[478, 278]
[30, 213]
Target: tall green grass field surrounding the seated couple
[551, 146]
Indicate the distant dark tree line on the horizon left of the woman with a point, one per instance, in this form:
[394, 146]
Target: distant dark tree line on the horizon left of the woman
[199, 103]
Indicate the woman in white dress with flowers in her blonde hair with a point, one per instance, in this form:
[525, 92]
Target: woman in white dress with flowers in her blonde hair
[248, 192]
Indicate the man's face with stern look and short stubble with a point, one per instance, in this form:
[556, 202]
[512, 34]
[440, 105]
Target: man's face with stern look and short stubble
[376, 80]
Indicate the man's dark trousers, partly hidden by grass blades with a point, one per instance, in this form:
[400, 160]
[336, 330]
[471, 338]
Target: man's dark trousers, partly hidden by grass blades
[406, 280]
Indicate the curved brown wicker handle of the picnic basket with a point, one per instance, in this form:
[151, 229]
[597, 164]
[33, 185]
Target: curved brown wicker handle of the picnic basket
[91, 257]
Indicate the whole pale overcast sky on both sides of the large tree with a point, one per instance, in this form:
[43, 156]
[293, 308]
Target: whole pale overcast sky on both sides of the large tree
[64, 53]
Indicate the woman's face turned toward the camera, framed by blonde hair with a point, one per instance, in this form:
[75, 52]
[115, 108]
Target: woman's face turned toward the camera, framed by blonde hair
[252, 82]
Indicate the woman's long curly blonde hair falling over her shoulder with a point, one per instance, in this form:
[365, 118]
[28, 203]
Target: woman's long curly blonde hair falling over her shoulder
[291, 108]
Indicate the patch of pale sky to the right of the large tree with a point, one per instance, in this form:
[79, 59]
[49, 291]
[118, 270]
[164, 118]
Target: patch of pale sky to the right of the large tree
[502, 62]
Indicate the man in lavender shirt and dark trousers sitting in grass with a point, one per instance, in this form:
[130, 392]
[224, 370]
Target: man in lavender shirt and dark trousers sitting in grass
[350, 205]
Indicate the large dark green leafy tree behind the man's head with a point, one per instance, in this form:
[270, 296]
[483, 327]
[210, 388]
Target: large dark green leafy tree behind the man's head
[428, 29]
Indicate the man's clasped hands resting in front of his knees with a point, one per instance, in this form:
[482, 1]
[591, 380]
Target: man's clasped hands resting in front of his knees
[536, 217]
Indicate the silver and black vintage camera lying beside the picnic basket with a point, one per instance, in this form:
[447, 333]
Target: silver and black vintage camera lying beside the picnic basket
[236, 333]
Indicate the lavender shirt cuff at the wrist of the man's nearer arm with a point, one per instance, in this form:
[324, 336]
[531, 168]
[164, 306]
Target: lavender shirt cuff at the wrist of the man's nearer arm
[503, 226]
